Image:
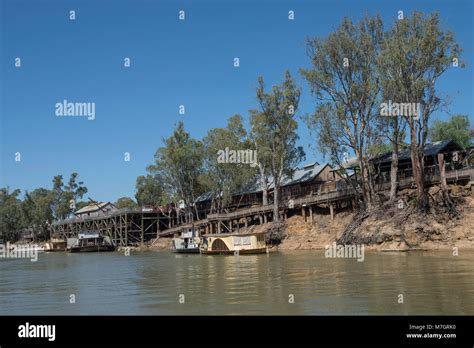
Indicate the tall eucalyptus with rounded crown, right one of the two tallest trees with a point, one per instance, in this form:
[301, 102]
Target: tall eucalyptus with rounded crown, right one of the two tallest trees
[416, 52]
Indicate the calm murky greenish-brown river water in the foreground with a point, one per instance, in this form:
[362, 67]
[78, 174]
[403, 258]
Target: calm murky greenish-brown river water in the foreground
[296, 282]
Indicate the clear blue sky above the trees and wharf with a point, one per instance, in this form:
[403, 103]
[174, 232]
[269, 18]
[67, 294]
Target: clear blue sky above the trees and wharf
[173, 62]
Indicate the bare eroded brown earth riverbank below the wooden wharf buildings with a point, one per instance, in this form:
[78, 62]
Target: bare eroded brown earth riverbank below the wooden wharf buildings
[391, 226]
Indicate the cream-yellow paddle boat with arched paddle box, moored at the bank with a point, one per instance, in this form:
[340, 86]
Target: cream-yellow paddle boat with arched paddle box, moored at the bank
[233, 243]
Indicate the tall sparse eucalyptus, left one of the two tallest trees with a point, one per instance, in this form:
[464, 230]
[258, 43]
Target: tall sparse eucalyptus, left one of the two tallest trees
[343, 79]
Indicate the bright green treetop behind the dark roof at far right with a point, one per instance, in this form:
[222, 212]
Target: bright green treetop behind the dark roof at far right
[457, 128]
